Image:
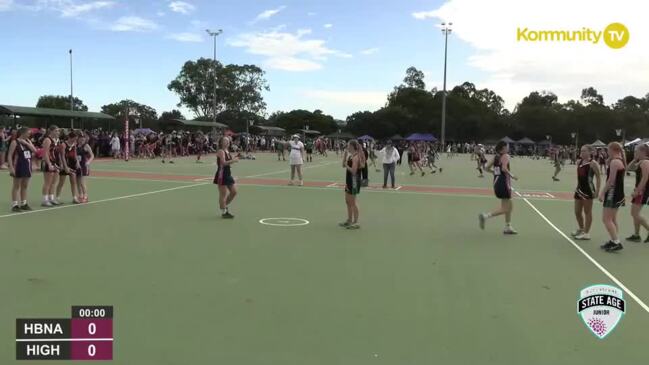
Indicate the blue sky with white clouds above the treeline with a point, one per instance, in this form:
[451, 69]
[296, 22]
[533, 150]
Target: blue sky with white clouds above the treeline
[339, 56]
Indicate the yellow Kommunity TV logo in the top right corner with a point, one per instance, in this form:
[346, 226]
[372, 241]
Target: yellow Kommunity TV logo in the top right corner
[615, 35]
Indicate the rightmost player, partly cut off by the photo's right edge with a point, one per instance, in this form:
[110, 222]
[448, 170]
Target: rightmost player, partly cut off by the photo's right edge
[640, 165]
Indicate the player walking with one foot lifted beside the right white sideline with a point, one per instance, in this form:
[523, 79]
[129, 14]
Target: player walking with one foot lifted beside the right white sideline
[499, 166]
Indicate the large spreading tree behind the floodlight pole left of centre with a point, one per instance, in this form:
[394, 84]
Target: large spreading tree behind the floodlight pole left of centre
[237, 87]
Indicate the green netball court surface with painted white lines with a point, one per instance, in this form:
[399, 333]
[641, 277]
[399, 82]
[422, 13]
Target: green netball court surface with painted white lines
[419, 283]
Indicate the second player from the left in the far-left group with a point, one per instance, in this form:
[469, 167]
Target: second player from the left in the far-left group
[50, 165]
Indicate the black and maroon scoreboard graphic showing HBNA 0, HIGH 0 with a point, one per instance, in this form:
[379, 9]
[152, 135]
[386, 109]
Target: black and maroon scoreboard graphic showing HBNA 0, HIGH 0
[87, 335]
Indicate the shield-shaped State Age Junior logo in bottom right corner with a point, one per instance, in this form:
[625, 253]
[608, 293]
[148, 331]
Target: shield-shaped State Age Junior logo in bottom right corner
[601, 307]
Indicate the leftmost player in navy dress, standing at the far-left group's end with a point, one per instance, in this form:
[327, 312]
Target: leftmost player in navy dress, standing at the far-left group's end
[20, 151]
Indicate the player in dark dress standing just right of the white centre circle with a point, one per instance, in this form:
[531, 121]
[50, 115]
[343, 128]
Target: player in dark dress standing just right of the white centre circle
[353, 163]
